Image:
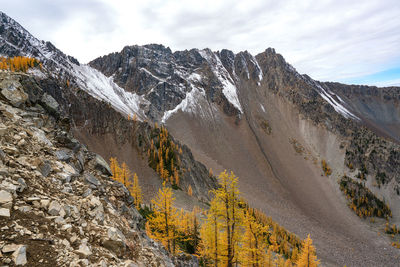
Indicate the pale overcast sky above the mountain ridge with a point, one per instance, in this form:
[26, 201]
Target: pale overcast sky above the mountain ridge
[354, 41]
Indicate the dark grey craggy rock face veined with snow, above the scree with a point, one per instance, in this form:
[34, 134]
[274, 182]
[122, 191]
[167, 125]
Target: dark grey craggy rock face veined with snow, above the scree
[164, 78]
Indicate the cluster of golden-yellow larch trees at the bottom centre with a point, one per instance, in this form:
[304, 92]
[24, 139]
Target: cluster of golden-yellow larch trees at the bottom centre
[229, 234]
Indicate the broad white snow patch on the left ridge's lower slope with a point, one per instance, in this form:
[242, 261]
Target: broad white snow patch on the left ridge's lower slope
[103, 88]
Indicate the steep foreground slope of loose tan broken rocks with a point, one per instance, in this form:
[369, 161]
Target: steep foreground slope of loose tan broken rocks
[58, 204]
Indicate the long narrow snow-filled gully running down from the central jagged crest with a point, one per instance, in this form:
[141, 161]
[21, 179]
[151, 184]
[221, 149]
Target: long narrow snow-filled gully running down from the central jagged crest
[229, 89]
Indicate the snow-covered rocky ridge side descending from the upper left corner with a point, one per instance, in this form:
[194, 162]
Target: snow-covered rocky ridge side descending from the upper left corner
[16, 41]
